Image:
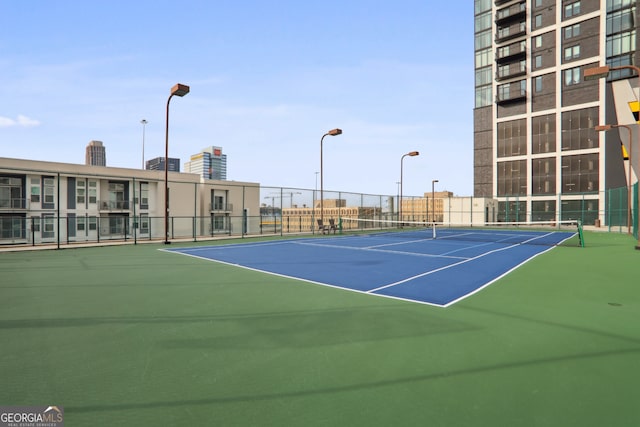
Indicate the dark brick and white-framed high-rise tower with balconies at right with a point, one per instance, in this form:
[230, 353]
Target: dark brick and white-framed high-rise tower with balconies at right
[536, 149]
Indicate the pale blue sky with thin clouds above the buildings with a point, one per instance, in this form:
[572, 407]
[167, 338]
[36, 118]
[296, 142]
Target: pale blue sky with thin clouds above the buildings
[267, 79]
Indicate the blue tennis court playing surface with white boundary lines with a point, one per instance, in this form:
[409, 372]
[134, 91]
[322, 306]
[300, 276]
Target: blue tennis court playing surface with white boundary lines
[438, 271]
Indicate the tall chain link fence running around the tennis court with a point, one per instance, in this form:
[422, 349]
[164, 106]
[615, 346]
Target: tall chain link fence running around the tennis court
[285, 210]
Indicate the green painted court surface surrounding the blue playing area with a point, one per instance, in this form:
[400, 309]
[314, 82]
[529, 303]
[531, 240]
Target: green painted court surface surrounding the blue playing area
[133, 336]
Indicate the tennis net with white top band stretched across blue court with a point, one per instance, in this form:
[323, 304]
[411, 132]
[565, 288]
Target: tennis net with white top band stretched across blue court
[547, 233]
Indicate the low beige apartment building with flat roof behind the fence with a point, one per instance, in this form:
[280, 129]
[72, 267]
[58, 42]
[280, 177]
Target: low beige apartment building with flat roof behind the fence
[43, 202]
